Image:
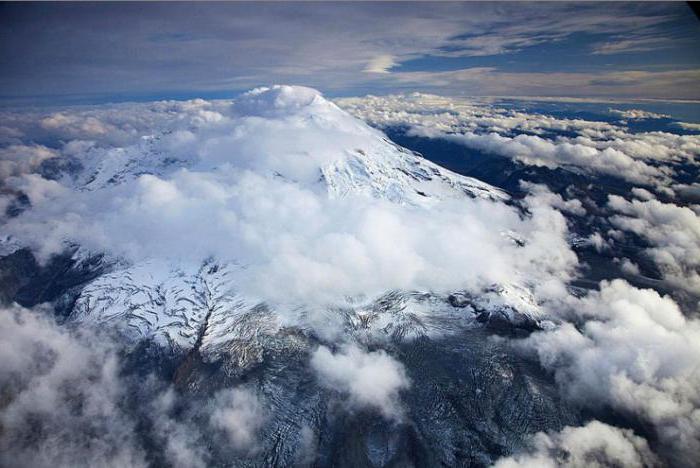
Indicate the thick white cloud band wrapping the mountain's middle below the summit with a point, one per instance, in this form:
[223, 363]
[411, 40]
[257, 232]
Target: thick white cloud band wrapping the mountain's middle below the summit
[291, 236]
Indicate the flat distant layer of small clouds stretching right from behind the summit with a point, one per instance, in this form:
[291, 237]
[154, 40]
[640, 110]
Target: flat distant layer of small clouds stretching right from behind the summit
[596, 147]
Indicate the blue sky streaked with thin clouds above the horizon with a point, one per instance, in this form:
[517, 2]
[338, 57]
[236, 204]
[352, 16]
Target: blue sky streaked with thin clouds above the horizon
[55, 53]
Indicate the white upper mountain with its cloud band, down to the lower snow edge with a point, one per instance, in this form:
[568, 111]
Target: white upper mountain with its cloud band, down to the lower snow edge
[281, 203]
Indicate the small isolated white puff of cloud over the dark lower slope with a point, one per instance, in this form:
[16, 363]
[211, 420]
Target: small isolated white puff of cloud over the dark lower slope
[370, 379]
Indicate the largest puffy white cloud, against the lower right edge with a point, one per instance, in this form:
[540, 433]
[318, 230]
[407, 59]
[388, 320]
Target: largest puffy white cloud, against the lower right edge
[633, 350]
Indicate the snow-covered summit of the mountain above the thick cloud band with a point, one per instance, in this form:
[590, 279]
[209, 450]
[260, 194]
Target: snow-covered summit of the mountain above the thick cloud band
[288, 132]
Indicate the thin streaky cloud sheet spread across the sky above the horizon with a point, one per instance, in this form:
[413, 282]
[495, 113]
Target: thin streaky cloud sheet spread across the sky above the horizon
[327, 47]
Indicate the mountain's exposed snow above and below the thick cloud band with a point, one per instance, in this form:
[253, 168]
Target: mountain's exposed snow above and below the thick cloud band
[285, 137]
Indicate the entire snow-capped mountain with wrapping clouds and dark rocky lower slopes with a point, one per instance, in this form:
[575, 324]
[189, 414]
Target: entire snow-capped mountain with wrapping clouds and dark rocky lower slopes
[277, 246]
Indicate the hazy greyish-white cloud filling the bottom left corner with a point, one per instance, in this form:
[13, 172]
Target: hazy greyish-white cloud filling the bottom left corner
[64, 395]
